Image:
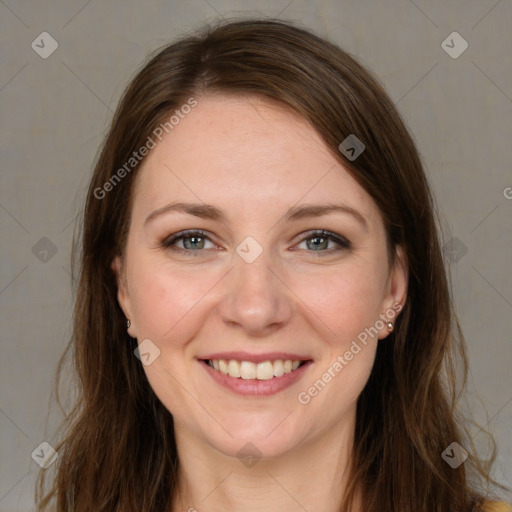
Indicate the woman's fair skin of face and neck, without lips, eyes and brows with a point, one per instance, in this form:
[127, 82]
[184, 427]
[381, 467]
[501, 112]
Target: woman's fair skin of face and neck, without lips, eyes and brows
[254, 160]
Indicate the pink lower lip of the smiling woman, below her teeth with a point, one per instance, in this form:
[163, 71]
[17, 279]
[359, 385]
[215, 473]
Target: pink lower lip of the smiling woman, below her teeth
[255, 387]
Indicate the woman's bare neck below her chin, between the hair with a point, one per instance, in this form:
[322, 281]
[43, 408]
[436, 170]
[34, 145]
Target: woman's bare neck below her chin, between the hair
[312, 477]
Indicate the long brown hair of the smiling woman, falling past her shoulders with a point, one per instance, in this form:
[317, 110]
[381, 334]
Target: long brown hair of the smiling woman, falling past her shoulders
[406, 413]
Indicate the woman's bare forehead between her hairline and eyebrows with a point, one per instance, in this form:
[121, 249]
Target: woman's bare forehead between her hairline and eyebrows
[245, 153]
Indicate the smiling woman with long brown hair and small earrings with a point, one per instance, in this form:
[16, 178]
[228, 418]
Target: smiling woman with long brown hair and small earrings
[263, 319]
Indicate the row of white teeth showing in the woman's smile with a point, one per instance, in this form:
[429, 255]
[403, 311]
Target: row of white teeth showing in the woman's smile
[248, 370]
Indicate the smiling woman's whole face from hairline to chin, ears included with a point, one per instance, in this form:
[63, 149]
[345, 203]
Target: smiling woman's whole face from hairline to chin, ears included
[259, 284]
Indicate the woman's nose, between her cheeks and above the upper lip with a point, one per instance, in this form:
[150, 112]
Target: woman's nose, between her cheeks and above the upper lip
[256, 299]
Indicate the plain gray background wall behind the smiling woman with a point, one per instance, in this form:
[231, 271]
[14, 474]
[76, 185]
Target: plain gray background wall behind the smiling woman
[55, 111]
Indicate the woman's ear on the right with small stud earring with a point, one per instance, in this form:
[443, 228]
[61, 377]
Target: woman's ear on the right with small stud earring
[396, 293]
